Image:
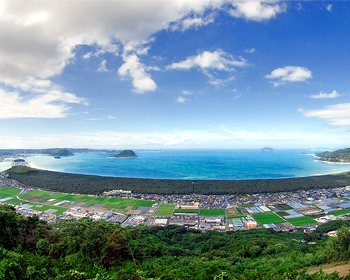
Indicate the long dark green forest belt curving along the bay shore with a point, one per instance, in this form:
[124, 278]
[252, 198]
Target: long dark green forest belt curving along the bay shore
[92, 184]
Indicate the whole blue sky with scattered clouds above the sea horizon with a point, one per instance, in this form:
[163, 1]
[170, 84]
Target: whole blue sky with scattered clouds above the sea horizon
[174, 74]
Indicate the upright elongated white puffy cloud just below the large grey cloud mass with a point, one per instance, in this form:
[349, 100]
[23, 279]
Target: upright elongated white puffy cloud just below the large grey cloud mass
[134, 69]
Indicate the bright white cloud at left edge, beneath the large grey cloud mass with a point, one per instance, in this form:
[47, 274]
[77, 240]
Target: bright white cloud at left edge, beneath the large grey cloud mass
[52, 104]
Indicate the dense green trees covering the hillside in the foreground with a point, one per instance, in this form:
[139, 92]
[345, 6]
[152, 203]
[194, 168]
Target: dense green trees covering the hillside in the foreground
[30, 249]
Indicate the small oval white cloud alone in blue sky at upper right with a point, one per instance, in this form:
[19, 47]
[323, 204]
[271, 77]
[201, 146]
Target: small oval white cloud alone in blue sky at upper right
[289, 74]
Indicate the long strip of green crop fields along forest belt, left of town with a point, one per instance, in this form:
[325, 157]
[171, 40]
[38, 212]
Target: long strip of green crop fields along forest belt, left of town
[43, 197]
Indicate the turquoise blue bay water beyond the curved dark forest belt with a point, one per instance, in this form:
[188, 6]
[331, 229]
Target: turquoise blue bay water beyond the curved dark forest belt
[193, 164]
